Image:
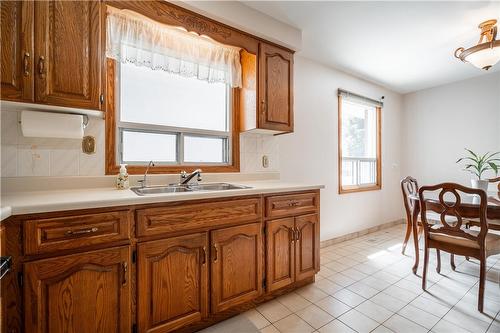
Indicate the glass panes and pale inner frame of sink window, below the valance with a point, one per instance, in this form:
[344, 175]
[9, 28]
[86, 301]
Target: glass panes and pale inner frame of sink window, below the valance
[171, 119]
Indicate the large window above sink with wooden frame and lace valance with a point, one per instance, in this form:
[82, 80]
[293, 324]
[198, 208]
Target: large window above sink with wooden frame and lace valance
[170, 97]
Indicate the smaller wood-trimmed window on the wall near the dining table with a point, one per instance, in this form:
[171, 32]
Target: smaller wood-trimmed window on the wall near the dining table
[359, 143]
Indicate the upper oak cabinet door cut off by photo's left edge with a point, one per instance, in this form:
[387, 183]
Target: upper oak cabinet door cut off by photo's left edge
[16, 60]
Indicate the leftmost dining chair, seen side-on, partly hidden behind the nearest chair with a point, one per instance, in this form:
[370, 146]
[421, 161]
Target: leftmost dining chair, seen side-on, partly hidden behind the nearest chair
[409, 188]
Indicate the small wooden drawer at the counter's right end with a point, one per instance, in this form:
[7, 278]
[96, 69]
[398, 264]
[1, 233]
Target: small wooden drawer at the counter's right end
[292, 204]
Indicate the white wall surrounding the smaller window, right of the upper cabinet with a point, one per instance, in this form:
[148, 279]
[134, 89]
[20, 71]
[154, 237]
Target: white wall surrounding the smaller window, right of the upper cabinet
[310, 153]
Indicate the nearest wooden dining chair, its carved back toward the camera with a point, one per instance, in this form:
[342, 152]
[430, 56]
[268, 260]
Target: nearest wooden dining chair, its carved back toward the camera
[452, 237]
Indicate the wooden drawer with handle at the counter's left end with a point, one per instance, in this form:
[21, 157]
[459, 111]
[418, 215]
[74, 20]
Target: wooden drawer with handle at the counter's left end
[70, 232]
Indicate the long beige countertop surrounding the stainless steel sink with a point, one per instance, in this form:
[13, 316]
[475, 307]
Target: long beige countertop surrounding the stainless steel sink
[17, 203]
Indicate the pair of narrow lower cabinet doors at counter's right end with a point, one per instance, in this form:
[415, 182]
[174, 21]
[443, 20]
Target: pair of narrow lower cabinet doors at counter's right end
[292, 250]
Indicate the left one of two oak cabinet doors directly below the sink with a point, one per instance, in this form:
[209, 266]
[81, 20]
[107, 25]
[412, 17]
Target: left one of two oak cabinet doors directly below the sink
[172, 282]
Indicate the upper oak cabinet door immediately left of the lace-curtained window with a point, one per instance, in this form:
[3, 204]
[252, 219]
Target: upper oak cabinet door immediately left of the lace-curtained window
[67, 53]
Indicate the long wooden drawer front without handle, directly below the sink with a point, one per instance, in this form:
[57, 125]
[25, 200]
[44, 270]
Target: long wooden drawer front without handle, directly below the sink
[186, 216]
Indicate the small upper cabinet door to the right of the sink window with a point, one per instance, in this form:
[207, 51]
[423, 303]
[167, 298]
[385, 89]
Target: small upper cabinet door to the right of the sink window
[275, 89]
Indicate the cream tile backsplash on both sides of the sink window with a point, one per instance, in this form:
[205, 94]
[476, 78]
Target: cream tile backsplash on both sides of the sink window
[21, 156]
